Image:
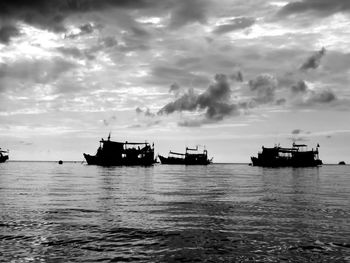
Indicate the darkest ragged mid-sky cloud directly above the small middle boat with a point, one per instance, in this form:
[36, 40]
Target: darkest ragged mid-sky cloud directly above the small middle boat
[215, 101]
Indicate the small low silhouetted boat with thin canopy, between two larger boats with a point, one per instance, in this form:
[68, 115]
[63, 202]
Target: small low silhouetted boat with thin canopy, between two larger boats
[187, 158]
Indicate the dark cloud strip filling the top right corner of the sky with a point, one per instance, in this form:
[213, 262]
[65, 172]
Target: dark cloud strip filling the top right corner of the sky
[319, 8]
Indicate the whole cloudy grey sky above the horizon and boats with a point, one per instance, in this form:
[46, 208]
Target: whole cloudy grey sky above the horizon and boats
[230, 75]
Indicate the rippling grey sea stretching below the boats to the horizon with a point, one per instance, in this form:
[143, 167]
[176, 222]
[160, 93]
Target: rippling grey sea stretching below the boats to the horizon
[217, 213]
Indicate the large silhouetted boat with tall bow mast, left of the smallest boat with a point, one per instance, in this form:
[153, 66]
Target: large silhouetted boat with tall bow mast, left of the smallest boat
[111, 153]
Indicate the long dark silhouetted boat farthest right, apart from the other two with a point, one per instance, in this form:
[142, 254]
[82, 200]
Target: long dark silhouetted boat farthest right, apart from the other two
[297, 156]
